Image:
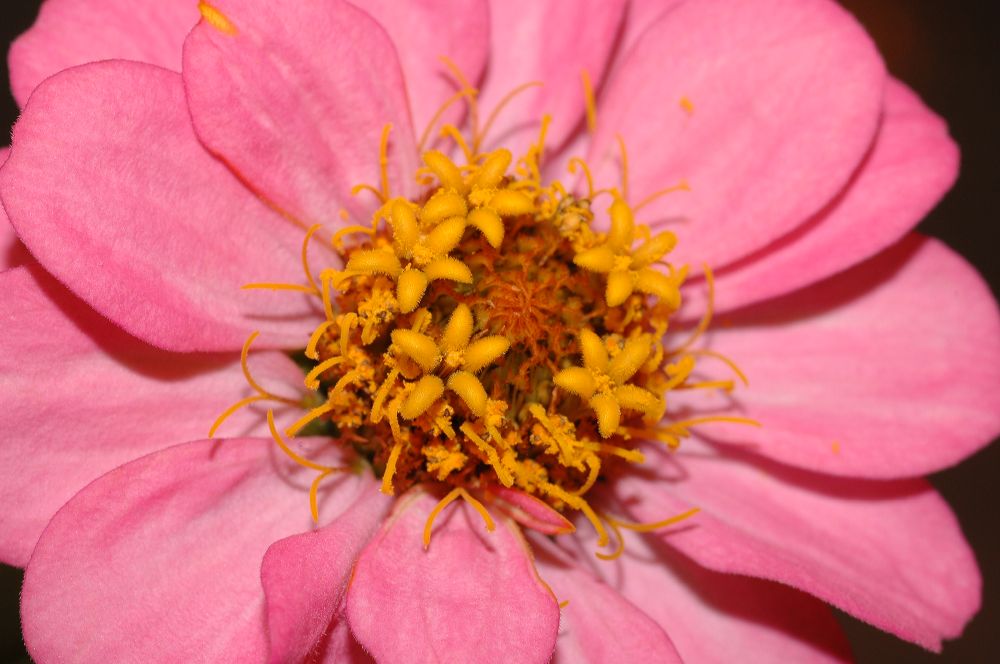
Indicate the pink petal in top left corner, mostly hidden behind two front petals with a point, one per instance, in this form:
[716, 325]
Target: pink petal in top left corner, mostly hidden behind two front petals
[73, 32]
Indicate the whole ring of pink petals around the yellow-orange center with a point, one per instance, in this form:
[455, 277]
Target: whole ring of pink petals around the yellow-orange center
[874, 353]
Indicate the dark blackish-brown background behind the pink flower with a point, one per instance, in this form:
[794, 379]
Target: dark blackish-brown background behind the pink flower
[948, 52]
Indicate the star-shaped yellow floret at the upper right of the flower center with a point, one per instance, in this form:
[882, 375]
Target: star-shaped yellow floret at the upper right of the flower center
[629, 271]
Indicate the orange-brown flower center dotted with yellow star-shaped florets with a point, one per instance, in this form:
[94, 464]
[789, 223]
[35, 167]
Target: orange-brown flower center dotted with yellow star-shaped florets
[485, 337]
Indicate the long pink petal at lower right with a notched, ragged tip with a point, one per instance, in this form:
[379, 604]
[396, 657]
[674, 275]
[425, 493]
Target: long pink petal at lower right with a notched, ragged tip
[889, 553]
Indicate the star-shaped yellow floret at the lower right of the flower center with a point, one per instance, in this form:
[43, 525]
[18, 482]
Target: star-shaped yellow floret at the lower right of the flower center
[603, 381]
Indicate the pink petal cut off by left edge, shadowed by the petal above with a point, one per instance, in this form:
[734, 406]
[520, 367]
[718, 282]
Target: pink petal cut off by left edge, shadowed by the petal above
[81, 397]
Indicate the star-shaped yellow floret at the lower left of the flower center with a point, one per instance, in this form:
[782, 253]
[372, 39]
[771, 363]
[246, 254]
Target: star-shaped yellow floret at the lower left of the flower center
[452, 355]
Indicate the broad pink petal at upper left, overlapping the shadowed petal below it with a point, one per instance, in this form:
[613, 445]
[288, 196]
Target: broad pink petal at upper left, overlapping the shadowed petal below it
[109, 188]
